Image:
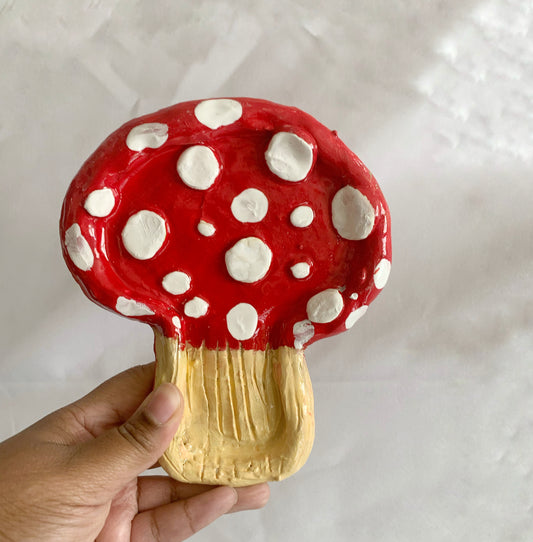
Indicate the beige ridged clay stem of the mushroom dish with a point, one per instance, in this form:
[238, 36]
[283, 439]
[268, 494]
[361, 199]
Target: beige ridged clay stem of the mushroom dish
[248, 415]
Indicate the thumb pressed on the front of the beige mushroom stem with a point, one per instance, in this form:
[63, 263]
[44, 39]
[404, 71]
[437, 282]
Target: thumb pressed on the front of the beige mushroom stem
[117, 456]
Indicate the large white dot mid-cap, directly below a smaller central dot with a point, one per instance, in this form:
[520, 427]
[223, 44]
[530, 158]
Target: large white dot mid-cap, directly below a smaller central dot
[248, 260]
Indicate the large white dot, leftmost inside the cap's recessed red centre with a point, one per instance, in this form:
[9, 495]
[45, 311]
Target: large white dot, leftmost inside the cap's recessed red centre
[144, 234]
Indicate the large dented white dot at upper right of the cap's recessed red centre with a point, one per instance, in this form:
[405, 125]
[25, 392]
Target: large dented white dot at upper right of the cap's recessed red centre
[289, 156]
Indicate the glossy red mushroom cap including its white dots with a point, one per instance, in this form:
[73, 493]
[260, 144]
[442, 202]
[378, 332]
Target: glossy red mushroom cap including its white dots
[228, 222]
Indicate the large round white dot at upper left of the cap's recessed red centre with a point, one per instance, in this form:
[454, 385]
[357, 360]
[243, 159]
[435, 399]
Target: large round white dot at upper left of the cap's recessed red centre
[198, 167]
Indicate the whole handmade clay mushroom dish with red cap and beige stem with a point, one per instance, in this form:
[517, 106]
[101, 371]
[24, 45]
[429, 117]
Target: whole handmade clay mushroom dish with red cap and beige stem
[241, 231]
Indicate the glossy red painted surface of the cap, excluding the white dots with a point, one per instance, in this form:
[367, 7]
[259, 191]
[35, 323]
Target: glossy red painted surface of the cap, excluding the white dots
[148, 180]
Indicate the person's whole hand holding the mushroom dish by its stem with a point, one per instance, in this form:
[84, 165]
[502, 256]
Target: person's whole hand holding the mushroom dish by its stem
[74, 474]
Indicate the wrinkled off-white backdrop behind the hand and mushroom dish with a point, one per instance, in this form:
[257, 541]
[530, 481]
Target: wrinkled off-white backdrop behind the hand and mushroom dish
[425, 408]
